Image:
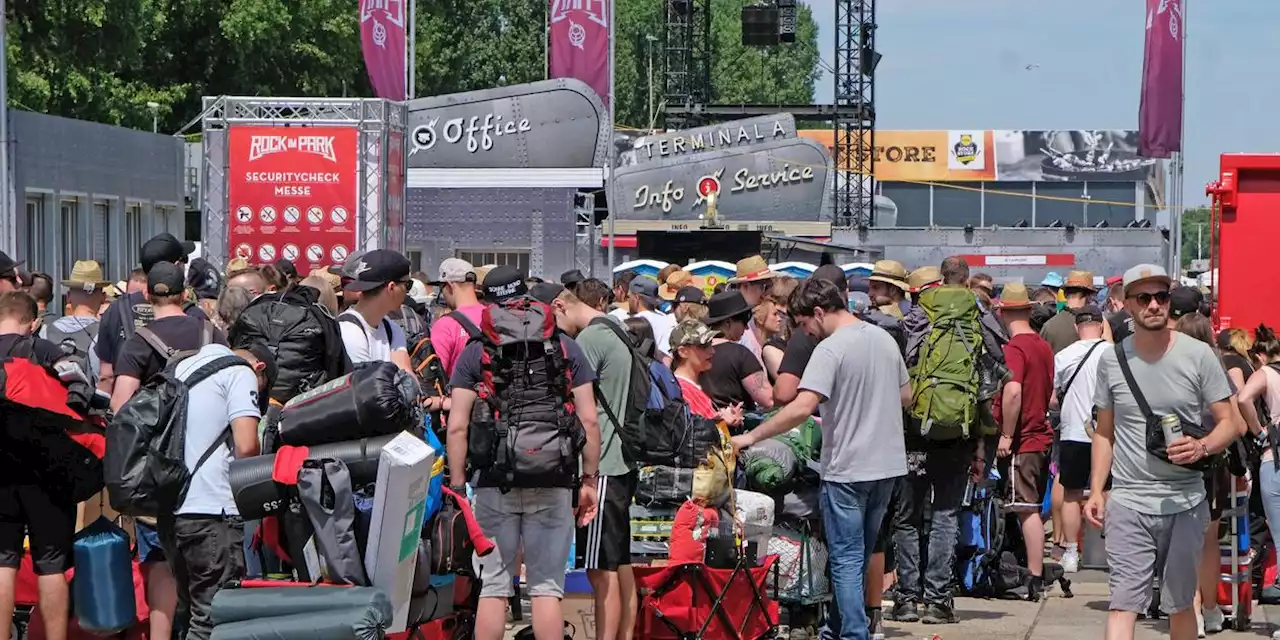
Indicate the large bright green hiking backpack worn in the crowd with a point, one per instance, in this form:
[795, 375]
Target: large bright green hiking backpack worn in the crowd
[945, 380]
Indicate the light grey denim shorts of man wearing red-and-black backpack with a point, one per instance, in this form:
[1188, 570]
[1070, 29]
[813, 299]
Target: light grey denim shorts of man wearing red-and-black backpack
[538, 520]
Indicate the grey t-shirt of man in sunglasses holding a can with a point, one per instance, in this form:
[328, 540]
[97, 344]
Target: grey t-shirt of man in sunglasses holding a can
[1185, 382]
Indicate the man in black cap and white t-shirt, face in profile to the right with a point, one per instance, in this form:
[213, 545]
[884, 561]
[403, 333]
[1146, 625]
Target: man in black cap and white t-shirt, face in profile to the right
[381, 278]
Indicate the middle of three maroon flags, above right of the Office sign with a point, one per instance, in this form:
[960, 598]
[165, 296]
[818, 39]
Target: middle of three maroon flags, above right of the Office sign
[579, 44]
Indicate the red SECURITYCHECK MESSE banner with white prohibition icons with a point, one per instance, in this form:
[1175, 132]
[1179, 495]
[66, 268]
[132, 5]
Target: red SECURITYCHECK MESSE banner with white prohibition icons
[292, 194]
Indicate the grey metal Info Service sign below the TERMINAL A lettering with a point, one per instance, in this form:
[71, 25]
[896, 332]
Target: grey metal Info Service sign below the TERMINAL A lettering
[771, 181]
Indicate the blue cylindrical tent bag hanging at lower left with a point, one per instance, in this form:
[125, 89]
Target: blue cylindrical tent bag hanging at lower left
[103, 584]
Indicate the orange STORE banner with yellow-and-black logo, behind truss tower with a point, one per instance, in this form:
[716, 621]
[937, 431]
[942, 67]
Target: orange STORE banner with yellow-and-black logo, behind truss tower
[925, 156]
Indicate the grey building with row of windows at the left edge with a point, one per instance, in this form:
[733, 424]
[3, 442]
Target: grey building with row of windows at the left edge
[89, 191]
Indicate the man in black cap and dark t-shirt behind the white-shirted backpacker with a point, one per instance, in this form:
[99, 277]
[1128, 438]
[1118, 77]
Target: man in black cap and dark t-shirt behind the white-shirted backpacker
[172, 330]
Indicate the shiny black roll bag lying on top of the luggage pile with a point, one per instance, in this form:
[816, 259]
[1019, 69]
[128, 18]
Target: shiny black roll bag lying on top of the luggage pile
[378, 399]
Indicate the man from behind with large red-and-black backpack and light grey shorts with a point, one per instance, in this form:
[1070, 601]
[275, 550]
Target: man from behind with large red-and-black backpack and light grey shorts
[524, 420]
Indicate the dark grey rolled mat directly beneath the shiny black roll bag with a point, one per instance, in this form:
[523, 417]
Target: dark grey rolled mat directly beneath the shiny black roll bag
[258, 495]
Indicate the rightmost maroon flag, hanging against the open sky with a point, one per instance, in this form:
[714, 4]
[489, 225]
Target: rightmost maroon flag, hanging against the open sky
[1160, 116]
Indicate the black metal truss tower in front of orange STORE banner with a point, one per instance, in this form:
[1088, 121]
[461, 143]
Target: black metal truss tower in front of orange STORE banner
[856, 112]
